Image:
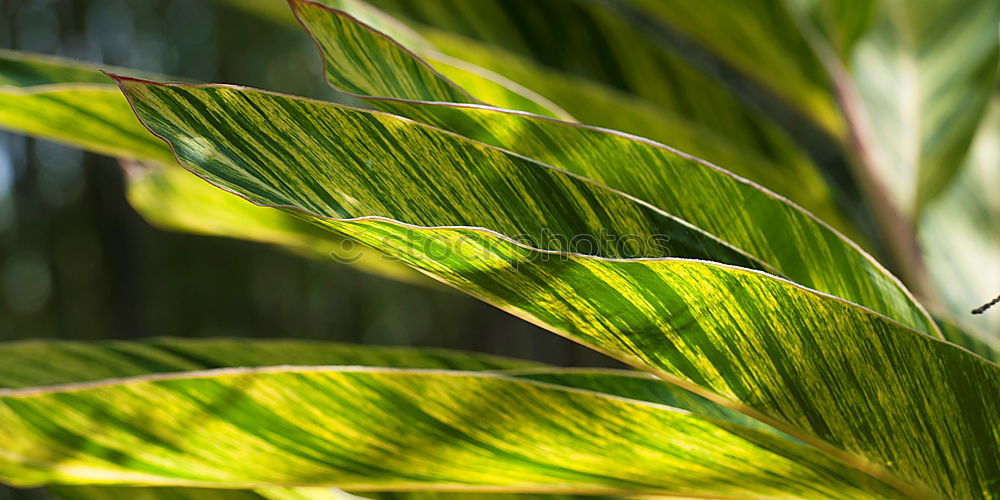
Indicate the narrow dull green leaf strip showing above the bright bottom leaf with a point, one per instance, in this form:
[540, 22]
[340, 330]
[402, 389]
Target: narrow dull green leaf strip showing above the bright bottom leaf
[26, 364]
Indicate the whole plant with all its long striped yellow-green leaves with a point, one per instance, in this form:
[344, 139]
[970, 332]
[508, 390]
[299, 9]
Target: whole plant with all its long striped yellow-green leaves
[499, 147]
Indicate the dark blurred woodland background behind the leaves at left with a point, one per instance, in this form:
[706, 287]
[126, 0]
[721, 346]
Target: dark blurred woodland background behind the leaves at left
[77, 262]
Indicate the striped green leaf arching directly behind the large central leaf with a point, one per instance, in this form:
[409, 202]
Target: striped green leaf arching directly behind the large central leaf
[757, 221]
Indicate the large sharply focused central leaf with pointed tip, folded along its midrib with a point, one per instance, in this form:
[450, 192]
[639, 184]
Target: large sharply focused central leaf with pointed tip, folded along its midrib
[914, 411]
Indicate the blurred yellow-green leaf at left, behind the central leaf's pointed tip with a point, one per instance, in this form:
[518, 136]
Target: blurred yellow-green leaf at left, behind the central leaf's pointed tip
[75, 103]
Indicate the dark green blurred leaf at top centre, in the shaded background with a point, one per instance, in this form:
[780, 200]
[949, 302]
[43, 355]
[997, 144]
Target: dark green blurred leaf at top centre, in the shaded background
[627, 58]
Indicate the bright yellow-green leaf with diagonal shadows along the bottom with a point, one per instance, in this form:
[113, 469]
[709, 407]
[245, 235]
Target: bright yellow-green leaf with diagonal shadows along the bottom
[368, 428]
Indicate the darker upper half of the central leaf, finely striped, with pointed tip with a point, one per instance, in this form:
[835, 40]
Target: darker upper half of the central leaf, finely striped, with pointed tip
[486, 186]
